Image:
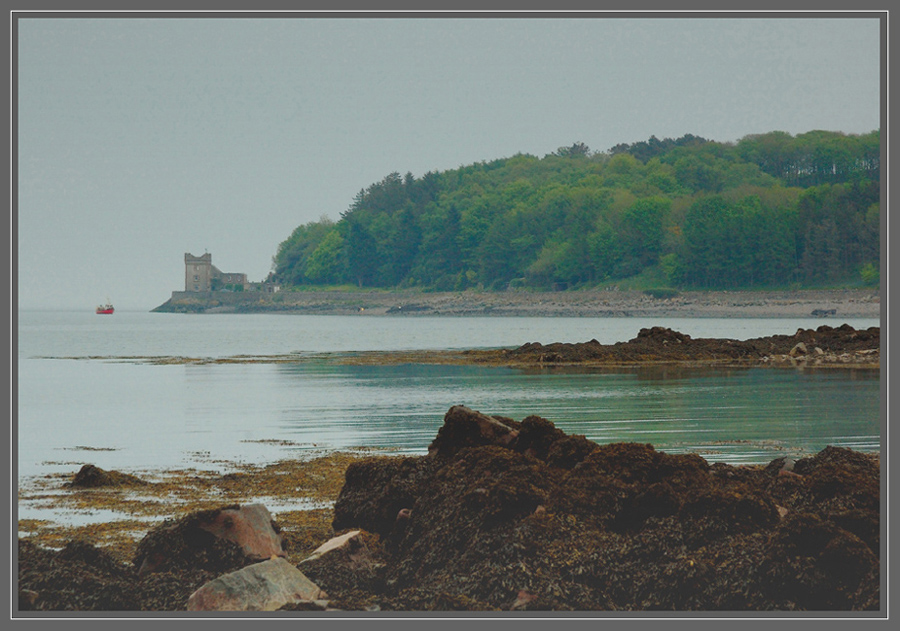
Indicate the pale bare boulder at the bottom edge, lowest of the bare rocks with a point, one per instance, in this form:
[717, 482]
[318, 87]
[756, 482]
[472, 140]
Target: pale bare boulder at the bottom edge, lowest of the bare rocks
[264, 586]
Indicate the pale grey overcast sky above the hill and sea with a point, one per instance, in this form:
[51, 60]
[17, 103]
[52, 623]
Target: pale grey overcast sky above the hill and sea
[142, 139]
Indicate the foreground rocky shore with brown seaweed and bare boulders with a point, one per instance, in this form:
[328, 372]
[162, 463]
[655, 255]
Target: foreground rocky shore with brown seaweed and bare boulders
[507, 516]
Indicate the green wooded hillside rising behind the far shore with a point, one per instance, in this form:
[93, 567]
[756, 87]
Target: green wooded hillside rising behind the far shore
[770, 210]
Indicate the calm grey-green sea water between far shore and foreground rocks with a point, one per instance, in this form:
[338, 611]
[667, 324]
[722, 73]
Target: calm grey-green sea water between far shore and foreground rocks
[82, 399]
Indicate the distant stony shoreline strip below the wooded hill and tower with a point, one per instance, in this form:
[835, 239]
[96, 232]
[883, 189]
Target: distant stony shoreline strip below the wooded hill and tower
[840, 303]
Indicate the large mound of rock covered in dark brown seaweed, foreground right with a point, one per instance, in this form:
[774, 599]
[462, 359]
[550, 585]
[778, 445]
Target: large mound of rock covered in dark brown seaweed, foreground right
[542, 520]
